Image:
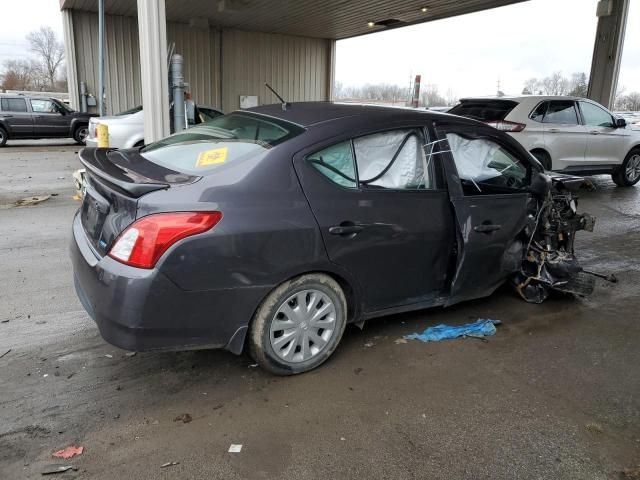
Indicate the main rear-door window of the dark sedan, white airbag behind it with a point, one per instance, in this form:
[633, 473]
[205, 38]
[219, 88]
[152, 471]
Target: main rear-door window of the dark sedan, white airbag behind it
[394, 160]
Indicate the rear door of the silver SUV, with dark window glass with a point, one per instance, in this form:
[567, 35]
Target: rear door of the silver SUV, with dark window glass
[564, 137]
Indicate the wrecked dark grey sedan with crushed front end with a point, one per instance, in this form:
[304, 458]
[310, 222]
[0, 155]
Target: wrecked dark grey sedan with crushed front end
[276, 227]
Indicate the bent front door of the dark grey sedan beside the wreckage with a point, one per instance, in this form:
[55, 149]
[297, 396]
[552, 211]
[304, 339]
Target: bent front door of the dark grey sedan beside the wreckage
[487, 178]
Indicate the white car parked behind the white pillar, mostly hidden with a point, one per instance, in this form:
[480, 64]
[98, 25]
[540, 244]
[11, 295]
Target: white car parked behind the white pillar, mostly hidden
[126, 129]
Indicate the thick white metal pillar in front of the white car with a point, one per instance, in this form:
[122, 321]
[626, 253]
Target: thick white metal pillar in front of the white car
[152, 29]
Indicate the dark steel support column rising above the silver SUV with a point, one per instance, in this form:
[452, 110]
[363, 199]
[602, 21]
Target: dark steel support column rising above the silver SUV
[607, 52]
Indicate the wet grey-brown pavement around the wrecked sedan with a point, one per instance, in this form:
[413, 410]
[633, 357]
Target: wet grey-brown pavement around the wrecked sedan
[554, 394]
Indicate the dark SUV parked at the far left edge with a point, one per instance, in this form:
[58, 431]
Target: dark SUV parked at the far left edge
[27, 117]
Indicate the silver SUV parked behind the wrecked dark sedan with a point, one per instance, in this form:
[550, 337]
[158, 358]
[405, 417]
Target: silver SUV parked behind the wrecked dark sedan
[566, 134]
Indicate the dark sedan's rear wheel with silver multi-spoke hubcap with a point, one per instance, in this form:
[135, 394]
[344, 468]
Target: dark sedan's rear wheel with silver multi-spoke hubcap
[299, 325]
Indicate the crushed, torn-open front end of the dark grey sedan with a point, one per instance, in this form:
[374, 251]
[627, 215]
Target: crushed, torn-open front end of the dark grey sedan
[549, 261]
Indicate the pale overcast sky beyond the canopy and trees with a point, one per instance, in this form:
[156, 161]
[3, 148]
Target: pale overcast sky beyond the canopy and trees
[466, 54]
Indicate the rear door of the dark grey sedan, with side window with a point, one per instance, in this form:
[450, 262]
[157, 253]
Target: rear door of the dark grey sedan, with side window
[382, 214]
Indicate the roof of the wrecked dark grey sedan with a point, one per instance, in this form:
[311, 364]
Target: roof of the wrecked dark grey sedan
[307, 114]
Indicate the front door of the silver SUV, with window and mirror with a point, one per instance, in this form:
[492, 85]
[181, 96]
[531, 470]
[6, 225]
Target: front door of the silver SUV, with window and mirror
[605, 143]
